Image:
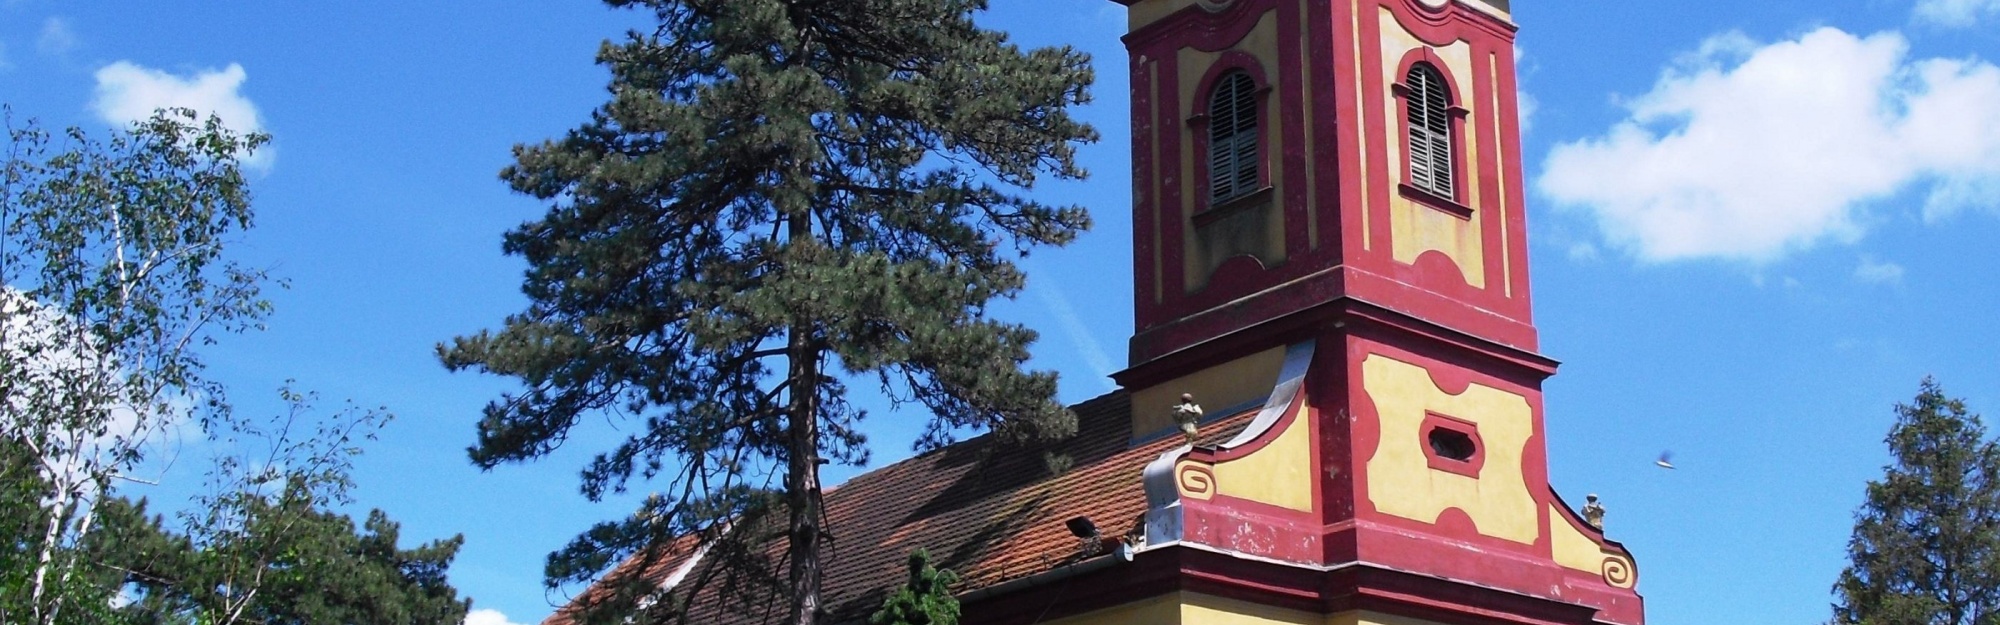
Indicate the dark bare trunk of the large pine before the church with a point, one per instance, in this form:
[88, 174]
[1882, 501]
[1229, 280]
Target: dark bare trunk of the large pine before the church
[803, 478]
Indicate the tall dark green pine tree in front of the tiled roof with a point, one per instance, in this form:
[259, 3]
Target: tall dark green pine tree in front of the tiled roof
[781, 197]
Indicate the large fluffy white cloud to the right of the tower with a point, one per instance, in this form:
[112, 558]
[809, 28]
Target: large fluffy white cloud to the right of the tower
[1747, 151]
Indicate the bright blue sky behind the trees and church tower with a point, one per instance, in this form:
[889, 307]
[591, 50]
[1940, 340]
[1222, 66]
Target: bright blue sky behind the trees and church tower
[1757, 227]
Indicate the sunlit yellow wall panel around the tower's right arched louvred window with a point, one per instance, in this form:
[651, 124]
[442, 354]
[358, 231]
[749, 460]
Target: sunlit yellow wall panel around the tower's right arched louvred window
[1417, 229]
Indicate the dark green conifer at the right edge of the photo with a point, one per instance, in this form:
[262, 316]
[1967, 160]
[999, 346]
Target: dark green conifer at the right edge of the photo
[1927, 542]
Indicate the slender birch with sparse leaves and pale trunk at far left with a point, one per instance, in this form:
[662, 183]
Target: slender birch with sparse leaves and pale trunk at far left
[113, 271]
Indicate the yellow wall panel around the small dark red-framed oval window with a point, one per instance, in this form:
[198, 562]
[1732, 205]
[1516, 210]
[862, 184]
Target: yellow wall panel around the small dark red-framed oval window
[1401, 480]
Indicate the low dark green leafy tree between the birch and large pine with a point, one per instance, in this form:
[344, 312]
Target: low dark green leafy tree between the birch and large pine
[265, 544]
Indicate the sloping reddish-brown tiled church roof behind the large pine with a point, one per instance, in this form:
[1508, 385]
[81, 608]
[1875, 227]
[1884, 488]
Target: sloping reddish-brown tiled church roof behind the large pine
[989, 512]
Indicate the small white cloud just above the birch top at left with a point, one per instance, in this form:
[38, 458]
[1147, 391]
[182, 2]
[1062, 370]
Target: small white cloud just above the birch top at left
[129, 93]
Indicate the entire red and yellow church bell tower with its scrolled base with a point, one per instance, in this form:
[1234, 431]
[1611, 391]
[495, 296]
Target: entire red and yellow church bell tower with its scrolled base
[1331, 249]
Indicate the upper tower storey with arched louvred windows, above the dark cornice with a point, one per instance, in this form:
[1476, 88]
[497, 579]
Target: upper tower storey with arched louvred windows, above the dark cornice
[1293, 153]
